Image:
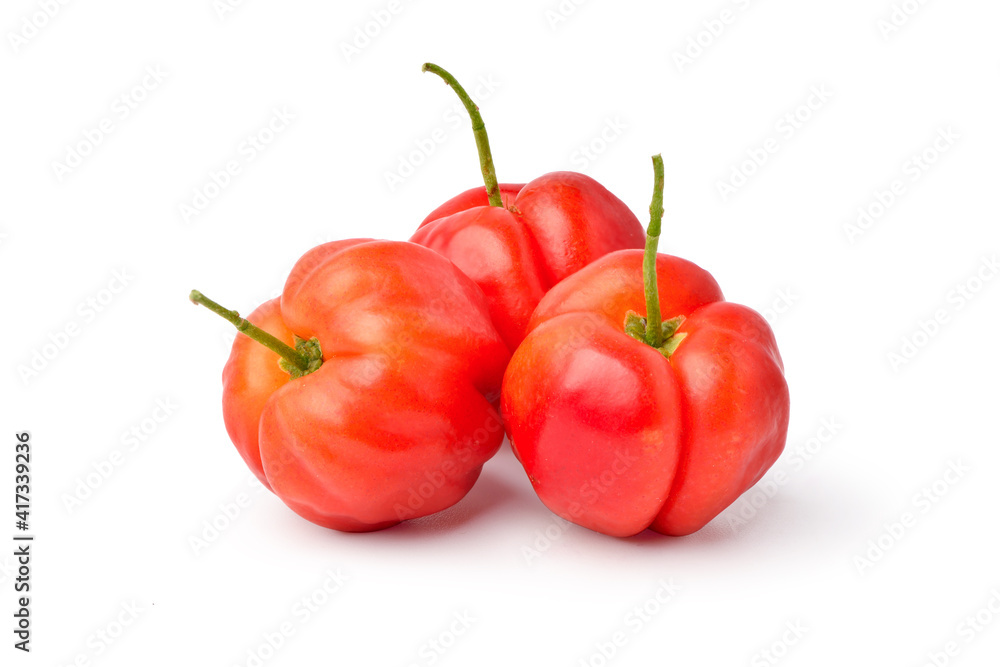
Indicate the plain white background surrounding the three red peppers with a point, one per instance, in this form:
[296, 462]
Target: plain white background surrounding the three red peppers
[824, 551]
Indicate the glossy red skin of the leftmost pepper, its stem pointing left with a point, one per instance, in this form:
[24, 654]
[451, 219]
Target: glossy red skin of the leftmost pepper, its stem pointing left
[400, 418]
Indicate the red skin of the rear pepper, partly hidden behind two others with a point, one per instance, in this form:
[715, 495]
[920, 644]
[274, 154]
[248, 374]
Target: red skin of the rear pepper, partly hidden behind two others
[547, 230]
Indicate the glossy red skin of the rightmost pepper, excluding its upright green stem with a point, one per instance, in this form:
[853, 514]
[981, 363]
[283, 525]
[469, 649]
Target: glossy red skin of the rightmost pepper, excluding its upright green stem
[616, 437]
